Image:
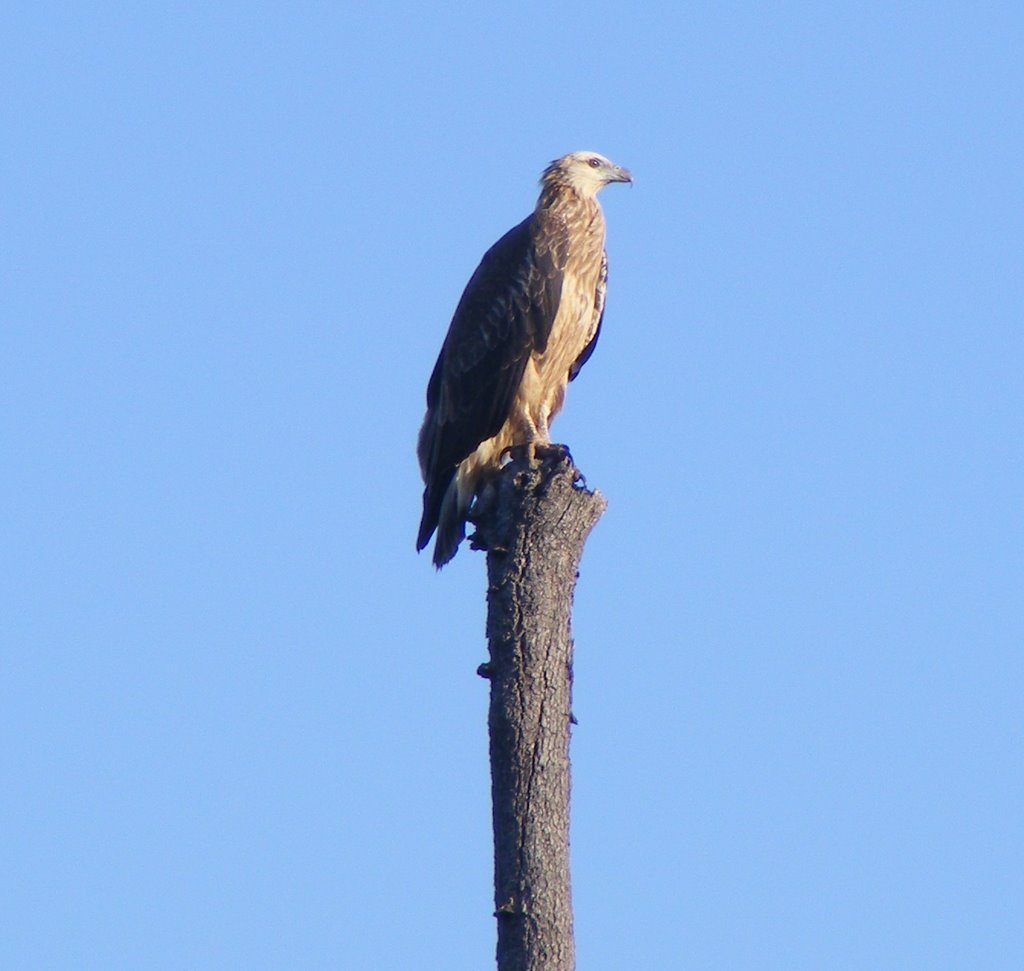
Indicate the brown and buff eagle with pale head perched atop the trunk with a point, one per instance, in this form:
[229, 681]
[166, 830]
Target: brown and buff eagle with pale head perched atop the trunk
[527, 323]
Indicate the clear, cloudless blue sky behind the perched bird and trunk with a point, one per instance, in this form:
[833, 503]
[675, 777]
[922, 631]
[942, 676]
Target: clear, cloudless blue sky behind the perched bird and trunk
[240, 722]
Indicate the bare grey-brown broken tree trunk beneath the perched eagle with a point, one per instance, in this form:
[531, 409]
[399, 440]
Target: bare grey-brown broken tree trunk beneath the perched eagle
[534, 526]
